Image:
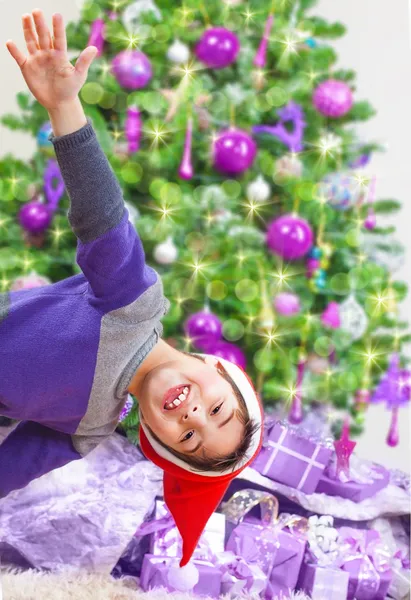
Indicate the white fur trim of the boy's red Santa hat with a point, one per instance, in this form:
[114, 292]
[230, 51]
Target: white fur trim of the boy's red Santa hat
[248, 393]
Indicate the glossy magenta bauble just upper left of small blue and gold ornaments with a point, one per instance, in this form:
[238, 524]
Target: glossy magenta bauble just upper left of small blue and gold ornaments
[290, 236]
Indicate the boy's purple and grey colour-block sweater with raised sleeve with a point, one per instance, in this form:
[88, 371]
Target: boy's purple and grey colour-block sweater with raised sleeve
[69, 350]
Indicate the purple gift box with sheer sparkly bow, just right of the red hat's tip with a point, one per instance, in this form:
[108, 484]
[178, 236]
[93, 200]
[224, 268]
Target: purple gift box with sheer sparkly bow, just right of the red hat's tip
[278, 553]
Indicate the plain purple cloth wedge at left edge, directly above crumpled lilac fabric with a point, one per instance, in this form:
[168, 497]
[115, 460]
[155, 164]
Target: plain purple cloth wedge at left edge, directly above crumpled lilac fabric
[30, 451]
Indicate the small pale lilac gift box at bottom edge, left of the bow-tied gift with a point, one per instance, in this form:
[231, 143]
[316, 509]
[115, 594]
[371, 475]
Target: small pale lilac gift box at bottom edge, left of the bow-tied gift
[323, 582]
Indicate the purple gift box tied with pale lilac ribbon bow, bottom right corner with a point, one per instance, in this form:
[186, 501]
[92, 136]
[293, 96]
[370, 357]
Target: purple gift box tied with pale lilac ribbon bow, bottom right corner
[367, 562]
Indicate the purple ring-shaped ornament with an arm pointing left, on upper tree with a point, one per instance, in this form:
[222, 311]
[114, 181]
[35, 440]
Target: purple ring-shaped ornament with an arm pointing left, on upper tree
[291, 114]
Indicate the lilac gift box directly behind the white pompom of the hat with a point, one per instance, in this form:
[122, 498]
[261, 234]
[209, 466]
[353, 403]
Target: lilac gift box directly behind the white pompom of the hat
[155, 569]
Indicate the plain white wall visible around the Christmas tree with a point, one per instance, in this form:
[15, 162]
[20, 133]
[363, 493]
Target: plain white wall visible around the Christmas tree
[377, 46]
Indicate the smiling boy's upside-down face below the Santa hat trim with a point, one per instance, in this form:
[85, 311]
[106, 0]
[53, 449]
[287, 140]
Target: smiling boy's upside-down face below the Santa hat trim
[205, 421]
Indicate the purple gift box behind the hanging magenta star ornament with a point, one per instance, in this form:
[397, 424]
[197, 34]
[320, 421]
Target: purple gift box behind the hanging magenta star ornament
[366, 479]
